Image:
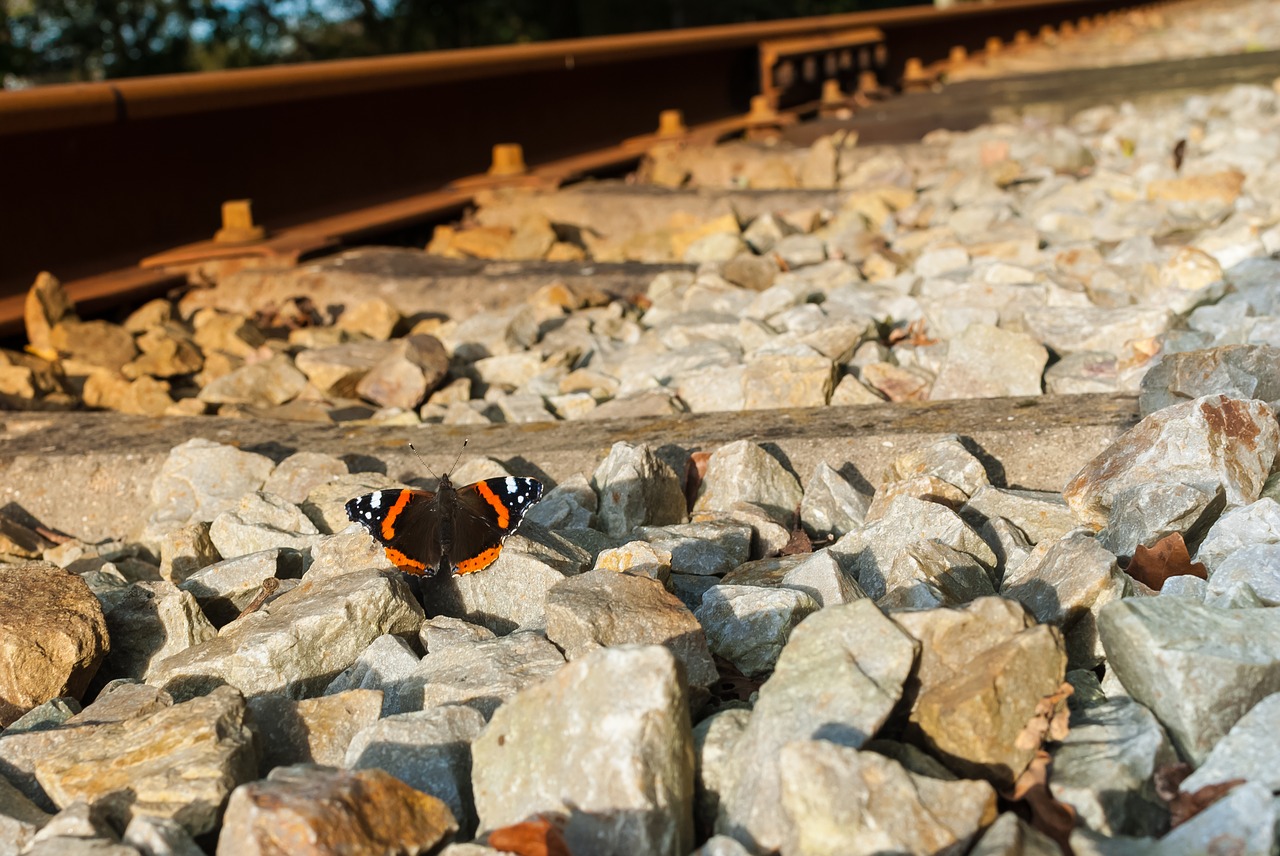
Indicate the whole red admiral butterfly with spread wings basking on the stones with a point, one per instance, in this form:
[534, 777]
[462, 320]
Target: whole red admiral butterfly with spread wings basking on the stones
[454, 529]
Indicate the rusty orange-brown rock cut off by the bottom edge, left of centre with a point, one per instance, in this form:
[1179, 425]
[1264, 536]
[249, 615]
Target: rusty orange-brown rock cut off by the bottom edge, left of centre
[318, 812]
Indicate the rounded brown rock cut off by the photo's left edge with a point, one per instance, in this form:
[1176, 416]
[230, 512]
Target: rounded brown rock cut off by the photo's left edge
[53, 637]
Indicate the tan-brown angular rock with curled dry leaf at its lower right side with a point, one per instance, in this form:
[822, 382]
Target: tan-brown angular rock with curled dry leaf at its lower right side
[984, 672]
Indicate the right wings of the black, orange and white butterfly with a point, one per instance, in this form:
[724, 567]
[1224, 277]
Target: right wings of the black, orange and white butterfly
[488, 512]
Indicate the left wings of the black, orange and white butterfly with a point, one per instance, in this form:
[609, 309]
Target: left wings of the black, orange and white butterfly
[406, 523]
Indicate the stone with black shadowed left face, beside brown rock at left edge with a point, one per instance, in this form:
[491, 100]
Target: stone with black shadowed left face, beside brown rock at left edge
[149, 624]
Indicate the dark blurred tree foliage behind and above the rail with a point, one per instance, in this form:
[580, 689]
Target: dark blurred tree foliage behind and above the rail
[88, 40]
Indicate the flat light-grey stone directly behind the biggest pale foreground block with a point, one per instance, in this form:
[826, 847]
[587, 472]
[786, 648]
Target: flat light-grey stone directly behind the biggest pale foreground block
[486, 675]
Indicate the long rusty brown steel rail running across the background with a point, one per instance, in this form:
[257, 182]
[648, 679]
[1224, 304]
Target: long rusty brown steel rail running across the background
[99, 177]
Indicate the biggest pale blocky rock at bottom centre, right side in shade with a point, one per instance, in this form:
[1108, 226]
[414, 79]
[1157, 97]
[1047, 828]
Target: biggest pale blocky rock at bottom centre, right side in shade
[639, 795]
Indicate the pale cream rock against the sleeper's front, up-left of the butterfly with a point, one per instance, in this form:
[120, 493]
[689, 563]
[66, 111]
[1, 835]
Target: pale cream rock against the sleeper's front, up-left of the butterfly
[203, 479]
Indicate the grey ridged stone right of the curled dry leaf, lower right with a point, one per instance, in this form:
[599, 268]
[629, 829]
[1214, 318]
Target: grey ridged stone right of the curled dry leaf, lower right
[1104, 768]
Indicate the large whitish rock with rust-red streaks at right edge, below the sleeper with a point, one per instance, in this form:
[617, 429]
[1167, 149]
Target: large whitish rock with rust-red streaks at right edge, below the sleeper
[1213, 443]
